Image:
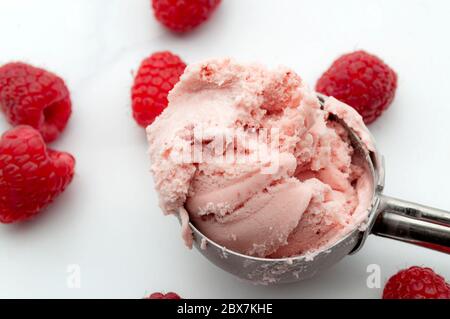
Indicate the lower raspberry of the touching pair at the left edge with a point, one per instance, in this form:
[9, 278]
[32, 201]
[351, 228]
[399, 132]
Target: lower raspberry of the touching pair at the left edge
[31, 175]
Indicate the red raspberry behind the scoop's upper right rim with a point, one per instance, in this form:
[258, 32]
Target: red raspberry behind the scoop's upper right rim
[361, 80]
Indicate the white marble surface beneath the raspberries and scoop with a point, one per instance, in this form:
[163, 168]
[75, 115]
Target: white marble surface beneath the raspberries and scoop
[108, 221]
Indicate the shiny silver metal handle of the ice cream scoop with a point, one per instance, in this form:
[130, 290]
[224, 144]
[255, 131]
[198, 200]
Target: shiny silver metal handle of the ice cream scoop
[413, 223]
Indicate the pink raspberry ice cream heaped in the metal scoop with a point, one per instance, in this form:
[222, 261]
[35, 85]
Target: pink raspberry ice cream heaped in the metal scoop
[301, 194]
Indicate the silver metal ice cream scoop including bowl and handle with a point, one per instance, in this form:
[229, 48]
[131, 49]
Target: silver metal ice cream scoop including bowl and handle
[388, 217]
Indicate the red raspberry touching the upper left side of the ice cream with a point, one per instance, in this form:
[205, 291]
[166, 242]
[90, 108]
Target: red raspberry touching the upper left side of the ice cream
[156, 76]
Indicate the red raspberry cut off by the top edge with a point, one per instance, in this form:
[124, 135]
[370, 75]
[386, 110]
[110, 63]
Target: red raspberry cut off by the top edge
[183, 15]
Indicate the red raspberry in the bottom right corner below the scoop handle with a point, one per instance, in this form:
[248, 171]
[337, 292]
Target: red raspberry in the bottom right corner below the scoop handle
[416, 283]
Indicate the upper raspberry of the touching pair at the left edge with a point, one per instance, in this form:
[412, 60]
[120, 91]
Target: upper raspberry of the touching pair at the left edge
[36, 97]
